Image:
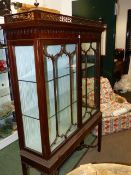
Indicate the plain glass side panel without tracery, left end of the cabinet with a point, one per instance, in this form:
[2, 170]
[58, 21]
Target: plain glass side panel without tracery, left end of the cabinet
[28, 96]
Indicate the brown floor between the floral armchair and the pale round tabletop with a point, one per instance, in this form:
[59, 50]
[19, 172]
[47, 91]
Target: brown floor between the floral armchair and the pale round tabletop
[116, 148]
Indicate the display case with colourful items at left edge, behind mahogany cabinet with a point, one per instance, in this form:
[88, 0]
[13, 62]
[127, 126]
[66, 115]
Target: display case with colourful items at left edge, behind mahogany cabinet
[8, 132]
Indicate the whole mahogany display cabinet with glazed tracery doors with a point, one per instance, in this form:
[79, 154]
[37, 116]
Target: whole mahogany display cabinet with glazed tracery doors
[52, 57]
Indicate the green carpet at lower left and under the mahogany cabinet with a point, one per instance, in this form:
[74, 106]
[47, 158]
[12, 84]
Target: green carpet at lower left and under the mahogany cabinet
[10, 163]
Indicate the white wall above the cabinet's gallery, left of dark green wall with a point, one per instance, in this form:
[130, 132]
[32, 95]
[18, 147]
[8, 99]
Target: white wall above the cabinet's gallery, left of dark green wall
[64, 6]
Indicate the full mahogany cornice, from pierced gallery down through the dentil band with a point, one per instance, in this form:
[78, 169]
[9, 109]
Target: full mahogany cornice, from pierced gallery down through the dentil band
[40, 24]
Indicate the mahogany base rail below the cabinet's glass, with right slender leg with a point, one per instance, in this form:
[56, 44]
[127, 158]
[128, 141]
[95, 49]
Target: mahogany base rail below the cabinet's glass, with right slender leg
[51, 165]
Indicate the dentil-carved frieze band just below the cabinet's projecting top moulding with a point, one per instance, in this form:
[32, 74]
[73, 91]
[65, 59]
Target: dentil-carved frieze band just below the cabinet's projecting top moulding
[39, 32]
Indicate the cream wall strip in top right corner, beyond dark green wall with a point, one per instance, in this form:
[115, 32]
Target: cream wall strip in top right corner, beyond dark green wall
[121, 23]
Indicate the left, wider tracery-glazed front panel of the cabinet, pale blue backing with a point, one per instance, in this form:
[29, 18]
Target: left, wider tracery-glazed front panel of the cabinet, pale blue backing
[61, 91]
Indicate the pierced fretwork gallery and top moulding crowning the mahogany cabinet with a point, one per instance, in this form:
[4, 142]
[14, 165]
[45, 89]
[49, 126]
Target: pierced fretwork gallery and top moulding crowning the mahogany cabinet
[42, 18]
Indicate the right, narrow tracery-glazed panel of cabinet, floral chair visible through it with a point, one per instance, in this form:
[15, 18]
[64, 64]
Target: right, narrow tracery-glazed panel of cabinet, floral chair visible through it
[88, 62]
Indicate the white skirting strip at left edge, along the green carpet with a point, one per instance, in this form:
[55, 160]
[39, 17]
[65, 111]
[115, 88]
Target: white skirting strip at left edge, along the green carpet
[10, 139]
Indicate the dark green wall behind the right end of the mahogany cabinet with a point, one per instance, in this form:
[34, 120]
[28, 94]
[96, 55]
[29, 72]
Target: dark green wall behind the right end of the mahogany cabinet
[93, 9]
